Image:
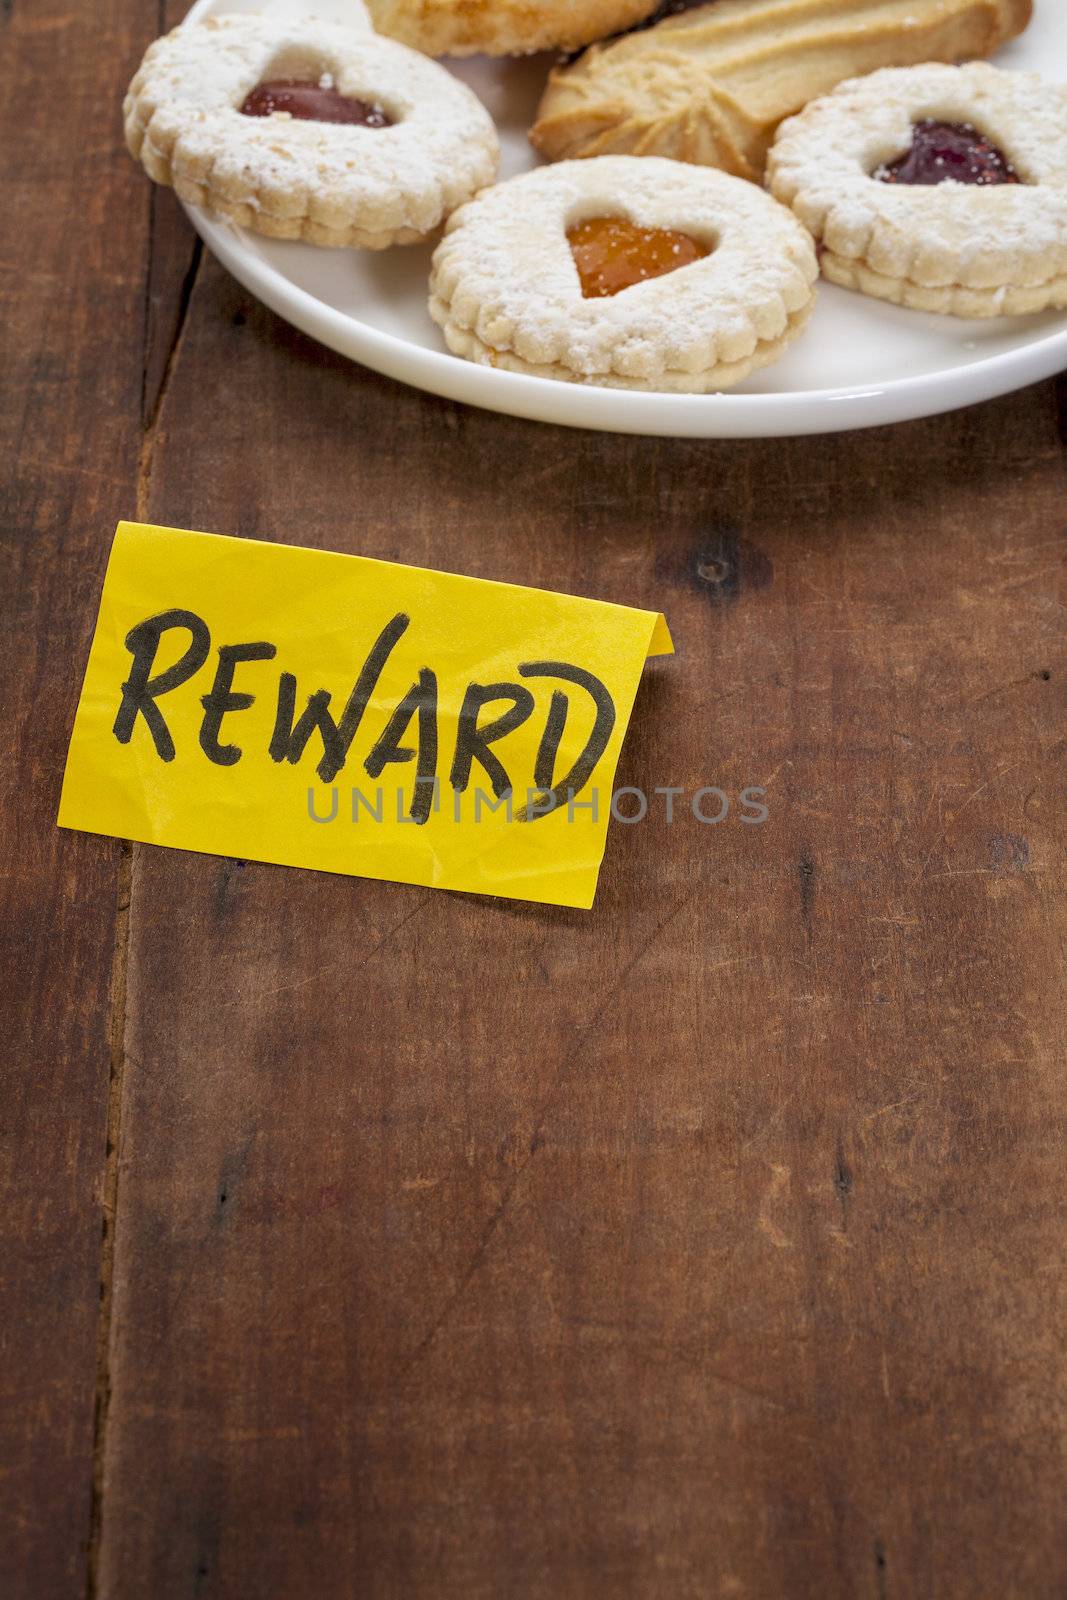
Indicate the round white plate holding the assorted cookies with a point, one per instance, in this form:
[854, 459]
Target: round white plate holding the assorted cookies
[860, 364]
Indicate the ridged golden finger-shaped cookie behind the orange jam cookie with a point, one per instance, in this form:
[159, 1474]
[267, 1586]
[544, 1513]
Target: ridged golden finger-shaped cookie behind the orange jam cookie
[713, 86]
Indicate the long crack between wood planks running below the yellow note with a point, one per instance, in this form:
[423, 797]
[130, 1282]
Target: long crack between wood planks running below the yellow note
[110, 1206]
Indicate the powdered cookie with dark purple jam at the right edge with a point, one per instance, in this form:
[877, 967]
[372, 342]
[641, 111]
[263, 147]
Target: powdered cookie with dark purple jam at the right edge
[938, 188]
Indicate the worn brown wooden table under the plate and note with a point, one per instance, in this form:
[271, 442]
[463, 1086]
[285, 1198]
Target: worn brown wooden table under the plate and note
[374, 1242]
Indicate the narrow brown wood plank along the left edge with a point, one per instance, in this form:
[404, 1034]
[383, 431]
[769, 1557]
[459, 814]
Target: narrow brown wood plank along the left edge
[73, 310]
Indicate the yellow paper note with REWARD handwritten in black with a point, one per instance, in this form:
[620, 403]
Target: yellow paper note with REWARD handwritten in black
[353, 716]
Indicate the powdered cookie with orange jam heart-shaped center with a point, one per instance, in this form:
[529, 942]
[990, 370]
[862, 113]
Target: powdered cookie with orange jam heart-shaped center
[634, 274]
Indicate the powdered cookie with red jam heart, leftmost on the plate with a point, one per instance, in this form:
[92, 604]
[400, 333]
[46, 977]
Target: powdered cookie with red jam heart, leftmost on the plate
[310, 130]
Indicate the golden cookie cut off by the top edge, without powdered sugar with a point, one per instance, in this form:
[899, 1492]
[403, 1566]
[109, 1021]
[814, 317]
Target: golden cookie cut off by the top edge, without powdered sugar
[503, 28]
